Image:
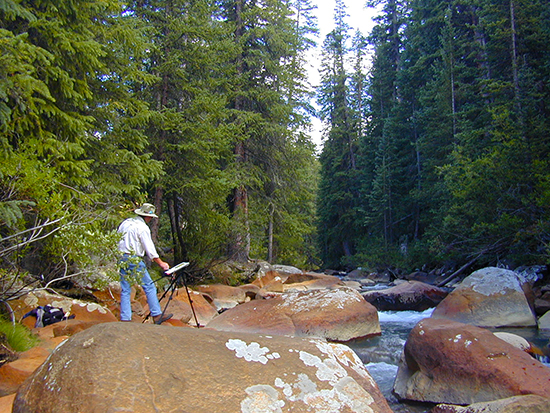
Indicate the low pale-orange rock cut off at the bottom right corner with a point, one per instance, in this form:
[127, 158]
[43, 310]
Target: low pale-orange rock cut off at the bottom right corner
[517, 404]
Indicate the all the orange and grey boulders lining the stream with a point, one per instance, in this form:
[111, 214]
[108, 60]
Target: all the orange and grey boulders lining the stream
[449, 360]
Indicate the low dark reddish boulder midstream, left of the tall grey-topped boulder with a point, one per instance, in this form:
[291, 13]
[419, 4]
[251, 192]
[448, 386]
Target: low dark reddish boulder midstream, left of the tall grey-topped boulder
[407, 295]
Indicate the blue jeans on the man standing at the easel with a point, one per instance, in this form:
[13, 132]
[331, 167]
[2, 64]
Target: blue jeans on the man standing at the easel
[147, 284]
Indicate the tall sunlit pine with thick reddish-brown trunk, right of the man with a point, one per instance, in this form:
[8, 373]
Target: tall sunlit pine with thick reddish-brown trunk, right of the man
[265, 103]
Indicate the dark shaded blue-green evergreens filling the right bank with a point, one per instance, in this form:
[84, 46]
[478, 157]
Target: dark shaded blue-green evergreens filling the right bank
[453, 154]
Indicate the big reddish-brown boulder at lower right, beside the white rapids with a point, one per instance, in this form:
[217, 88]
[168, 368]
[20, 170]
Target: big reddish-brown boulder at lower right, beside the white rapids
[449, 362]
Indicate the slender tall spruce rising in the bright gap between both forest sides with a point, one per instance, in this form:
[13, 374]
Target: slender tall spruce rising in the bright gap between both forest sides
[338, 200]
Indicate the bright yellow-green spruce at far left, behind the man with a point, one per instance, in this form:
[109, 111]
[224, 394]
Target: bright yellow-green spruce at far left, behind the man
[57, 170]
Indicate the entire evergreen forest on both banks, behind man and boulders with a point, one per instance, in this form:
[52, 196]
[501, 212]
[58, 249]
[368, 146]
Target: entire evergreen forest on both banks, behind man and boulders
[437, 134]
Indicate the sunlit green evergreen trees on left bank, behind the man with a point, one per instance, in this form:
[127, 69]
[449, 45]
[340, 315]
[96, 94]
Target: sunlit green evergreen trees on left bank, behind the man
[105, 103]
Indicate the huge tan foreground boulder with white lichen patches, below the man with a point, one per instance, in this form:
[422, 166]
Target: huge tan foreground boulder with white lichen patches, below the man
[144, 368]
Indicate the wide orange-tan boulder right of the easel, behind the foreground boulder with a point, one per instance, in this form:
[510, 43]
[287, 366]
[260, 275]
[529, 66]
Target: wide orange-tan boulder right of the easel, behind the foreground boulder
[339, 315]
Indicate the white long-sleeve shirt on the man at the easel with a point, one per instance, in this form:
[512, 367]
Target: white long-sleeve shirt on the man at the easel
[136, 238]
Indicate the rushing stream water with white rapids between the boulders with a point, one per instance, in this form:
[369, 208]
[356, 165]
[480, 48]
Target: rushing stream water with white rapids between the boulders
[381, 354]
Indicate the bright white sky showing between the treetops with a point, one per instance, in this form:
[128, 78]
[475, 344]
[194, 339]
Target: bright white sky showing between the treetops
[359, 18]
